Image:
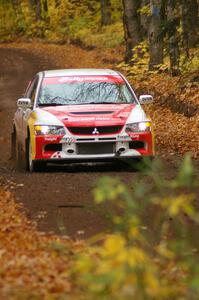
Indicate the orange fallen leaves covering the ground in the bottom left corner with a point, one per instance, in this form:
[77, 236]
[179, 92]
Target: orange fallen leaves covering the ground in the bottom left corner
[32, 265]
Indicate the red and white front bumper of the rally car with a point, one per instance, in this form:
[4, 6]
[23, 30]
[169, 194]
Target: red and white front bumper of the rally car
[93, 148]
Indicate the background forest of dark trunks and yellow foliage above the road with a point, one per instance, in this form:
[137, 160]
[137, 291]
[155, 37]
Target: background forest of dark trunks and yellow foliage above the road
[165, 29]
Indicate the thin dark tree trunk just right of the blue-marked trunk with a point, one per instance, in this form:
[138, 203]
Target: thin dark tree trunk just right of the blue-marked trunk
[174, 52]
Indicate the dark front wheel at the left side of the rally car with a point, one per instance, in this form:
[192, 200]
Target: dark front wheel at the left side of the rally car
[33, 165]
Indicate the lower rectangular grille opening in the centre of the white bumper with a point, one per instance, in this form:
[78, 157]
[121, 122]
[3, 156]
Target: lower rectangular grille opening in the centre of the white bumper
[95, 148]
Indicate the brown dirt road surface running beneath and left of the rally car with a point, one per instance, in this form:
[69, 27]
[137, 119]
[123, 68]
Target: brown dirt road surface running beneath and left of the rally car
[60, 199]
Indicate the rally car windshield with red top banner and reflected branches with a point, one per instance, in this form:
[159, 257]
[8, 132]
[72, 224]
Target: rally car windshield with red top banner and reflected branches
[73, 90]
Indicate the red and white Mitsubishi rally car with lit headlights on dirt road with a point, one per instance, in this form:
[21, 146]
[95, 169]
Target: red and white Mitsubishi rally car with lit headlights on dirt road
[79, 115]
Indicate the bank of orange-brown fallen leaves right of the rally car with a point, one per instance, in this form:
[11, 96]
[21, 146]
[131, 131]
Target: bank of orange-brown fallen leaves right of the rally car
[175, 112]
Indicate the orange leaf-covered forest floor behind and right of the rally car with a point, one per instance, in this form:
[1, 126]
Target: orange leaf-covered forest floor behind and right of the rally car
[175, 111]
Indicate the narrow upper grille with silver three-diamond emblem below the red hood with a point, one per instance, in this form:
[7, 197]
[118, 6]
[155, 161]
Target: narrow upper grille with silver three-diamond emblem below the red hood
[95, 130]
